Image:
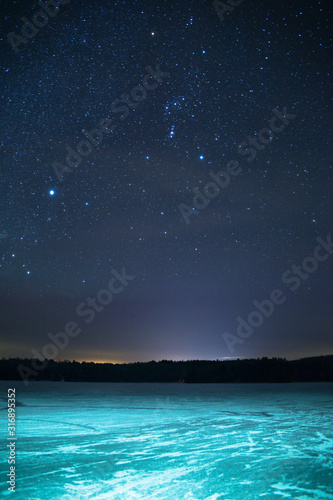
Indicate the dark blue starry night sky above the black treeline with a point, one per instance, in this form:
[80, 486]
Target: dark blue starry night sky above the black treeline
[223, 77]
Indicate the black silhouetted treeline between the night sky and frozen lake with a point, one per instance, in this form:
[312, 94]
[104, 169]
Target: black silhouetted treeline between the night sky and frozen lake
[316, 369]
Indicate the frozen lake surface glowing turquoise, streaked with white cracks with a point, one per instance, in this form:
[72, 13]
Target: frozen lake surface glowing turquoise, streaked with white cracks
[170, 441]
